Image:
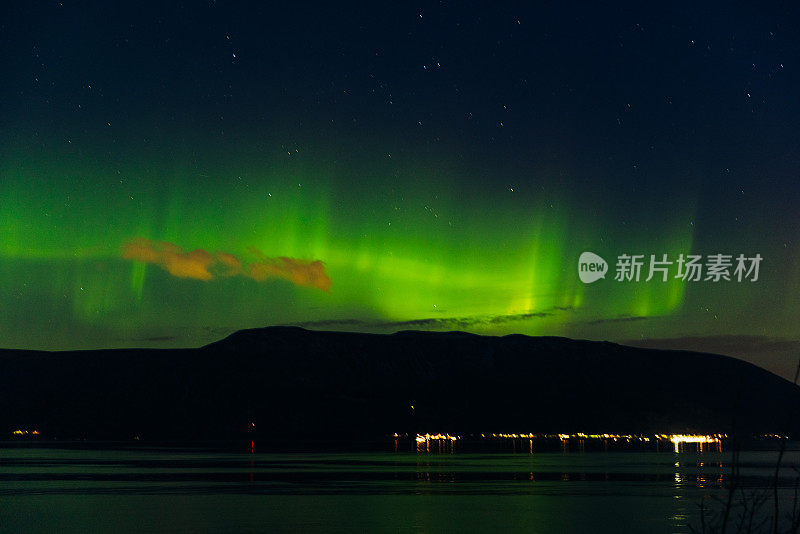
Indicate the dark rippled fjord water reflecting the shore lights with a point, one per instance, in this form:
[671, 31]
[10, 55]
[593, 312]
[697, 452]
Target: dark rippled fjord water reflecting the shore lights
[171, 489]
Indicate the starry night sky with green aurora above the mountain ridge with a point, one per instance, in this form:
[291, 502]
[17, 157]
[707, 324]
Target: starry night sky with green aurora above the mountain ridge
[170, 174]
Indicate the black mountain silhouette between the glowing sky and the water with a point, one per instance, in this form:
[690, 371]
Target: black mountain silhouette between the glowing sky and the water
[295, 383]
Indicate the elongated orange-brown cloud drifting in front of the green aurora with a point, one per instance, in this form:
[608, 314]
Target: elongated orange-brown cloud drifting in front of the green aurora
[202, 265]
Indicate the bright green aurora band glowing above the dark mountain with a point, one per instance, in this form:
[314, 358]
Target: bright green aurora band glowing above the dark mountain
[413, 248]
